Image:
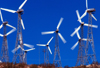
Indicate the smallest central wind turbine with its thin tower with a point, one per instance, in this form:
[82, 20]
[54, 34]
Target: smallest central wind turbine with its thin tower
[48, 48]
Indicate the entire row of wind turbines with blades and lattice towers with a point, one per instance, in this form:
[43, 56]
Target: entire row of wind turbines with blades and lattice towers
[20, 53]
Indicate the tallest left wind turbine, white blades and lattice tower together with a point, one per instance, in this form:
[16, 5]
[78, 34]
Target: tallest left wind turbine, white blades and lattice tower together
[20, 25]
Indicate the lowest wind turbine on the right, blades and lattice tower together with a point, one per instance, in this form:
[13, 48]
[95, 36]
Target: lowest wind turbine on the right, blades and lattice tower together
[80, 57]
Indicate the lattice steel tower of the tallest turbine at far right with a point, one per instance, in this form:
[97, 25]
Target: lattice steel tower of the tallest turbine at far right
[90, 42]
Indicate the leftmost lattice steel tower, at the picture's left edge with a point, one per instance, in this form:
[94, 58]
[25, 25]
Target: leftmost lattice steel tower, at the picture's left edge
[4, 50]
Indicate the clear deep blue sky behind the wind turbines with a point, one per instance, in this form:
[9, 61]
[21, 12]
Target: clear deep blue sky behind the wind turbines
[44, 15]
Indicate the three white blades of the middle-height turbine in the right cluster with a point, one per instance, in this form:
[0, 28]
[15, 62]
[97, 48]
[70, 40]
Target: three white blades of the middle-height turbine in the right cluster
[82, 23]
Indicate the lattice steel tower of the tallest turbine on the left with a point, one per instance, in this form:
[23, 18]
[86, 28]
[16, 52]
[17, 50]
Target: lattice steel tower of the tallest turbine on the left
[18, 55]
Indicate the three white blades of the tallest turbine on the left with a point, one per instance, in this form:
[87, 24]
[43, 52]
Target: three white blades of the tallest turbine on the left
[19, 11]
